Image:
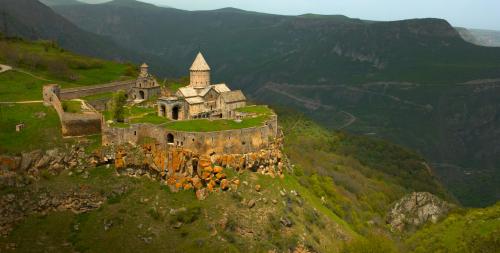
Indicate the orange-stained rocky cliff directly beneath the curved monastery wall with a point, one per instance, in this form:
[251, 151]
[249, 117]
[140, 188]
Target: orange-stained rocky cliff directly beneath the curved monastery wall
[183, 169]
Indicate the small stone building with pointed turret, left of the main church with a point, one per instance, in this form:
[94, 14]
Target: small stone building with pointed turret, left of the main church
[145, 86]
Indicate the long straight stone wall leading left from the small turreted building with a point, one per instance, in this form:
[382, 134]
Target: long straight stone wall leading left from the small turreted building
[96, 89]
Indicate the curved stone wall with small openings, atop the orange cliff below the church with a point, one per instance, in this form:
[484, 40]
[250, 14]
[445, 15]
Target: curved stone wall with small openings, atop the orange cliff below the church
[237, 141]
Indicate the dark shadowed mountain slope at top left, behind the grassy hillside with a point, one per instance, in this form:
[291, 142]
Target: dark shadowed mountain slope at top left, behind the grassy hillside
[32, 20]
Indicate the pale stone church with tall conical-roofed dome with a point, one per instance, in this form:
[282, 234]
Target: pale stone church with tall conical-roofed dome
[201, 99]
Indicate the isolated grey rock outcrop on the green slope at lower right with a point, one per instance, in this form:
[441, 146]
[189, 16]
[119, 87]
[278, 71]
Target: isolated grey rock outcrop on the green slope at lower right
[416, 209]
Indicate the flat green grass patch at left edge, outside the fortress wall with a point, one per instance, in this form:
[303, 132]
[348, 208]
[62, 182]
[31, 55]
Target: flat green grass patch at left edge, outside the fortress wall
[43, 132]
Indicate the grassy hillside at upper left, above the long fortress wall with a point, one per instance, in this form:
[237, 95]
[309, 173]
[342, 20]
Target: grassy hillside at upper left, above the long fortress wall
[43, 62]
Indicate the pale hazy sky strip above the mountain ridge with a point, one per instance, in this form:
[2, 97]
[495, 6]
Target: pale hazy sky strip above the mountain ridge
[467, 13]
